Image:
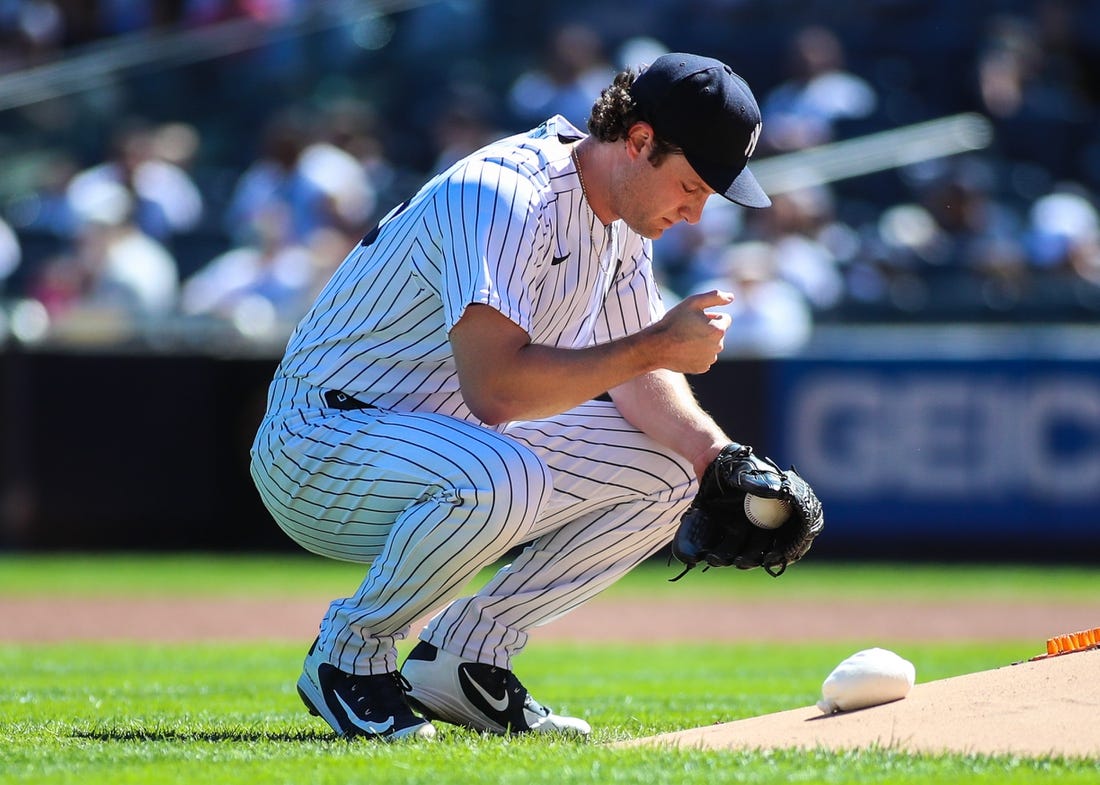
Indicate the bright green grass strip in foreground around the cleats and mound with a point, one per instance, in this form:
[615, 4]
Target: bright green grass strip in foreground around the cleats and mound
[228, 714]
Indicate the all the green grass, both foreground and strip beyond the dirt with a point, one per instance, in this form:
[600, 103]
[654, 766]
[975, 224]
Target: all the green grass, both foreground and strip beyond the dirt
[214, 714]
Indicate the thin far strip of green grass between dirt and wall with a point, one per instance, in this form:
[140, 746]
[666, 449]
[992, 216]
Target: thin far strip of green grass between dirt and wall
[294, 576]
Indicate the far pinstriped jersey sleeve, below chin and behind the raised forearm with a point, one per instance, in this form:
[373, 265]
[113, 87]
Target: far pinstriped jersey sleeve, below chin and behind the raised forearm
[634, 300]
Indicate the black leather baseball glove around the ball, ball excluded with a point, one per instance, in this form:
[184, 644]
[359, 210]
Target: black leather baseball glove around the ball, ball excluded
[716, 532]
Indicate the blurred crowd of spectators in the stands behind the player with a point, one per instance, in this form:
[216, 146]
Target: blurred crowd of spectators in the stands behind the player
[216, 197]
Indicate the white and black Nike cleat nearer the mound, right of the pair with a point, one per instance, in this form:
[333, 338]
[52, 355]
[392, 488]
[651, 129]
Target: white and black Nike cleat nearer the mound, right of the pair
[482, 698]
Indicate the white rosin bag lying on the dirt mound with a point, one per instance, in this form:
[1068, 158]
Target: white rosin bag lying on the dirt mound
[868, 678]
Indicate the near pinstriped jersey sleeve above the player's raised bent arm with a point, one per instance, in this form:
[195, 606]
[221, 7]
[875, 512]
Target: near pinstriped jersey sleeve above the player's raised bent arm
[490, 231]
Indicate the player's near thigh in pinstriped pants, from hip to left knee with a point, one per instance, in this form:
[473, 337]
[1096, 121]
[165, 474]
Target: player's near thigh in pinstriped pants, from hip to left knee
[337, 483]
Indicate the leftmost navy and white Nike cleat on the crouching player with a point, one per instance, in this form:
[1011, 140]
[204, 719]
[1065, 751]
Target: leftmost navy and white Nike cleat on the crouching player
[369, 706]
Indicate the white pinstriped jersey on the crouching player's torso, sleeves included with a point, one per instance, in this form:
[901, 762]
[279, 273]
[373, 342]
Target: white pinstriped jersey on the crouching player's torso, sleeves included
[508, 227]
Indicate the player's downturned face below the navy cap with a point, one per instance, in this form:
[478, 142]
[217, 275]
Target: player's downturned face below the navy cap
[653, 198]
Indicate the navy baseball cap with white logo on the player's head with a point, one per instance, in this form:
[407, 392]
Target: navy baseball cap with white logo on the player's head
[702, 107]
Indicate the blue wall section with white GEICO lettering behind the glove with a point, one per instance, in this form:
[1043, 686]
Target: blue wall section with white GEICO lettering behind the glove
[960, 459]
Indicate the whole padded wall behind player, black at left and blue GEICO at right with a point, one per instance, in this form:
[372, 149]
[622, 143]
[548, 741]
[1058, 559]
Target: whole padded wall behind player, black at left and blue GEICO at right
[948, 448]
